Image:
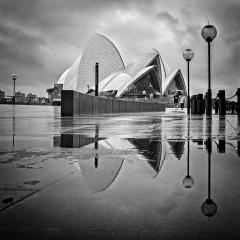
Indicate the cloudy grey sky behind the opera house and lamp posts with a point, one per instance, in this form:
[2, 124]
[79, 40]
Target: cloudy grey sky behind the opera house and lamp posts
[39, 39]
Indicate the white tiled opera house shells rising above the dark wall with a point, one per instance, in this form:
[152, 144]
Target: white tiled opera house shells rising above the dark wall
[148, 74]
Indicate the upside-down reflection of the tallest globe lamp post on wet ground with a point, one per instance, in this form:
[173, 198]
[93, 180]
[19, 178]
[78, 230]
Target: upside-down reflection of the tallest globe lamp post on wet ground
[209, 207]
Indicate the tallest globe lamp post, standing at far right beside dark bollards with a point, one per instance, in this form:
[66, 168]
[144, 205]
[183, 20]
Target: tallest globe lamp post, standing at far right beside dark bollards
[209, 32]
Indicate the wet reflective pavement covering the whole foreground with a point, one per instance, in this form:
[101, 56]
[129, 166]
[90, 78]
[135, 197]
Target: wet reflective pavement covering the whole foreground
[122, 176]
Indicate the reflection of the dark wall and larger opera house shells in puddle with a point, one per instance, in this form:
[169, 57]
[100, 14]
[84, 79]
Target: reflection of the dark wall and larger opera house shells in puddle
[100, 171]
